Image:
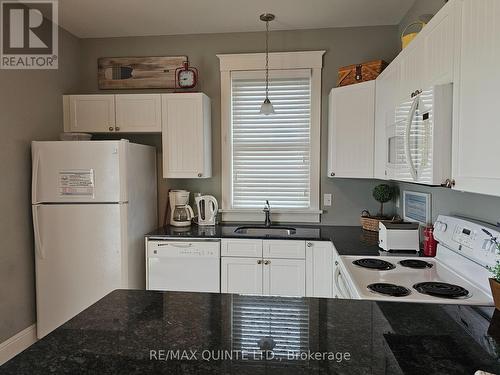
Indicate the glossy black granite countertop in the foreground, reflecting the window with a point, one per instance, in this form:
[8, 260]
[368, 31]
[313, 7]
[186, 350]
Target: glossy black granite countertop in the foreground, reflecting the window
[144, 332]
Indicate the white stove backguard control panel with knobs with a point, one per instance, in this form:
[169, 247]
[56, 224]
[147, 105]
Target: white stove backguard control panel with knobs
[472, 239]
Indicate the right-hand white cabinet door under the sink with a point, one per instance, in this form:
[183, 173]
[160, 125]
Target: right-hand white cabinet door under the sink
[284, 277]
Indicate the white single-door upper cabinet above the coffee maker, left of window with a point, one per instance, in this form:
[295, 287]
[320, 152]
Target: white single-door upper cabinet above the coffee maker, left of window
[186, 135]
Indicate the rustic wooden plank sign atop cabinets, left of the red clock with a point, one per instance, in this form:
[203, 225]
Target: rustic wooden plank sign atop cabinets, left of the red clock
[138, 72]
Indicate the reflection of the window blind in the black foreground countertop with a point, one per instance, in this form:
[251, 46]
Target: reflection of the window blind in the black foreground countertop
[285, 321]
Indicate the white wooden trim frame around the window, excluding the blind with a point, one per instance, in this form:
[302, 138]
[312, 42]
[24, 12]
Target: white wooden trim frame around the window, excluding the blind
[312, 60]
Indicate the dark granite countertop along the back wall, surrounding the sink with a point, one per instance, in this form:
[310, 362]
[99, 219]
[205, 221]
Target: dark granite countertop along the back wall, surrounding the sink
[348, 240]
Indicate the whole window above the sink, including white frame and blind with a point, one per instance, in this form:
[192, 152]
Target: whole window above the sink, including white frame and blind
[274, 157]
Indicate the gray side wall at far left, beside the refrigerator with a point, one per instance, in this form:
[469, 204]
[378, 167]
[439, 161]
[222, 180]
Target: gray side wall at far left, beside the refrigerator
[30, 109]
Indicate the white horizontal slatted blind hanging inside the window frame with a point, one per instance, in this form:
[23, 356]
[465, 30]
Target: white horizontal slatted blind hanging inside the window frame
[271, 154]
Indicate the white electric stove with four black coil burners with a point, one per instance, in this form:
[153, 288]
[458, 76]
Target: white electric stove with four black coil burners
[457, 275]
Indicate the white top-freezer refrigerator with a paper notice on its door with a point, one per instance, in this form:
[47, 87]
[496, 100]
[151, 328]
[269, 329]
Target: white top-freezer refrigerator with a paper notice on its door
[92, 201]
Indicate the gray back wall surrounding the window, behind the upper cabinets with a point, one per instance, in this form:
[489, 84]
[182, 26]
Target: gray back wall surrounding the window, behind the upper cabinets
[344, 46]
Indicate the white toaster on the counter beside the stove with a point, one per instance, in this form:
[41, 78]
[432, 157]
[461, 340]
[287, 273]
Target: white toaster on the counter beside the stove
[399, 236]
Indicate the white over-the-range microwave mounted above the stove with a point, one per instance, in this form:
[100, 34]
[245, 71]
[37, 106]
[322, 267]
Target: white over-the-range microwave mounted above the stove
[419, 140]
